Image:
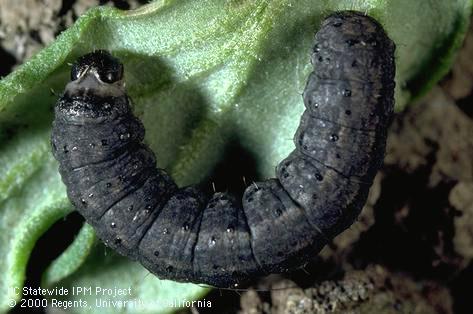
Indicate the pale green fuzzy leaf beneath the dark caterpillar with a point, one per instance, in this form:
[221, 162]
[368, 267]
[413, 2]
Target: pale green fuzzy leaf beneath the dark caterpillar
[202, 75]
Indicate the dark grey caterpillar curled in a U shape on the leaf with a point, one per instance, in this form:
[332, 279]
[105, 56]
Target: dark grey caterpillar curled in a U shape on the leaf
[179, 233]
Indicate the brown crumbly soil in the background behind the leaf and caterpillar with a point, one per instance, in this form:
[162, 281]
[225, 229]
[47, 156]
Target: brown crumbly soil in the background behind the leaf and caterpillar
[411, 250]
